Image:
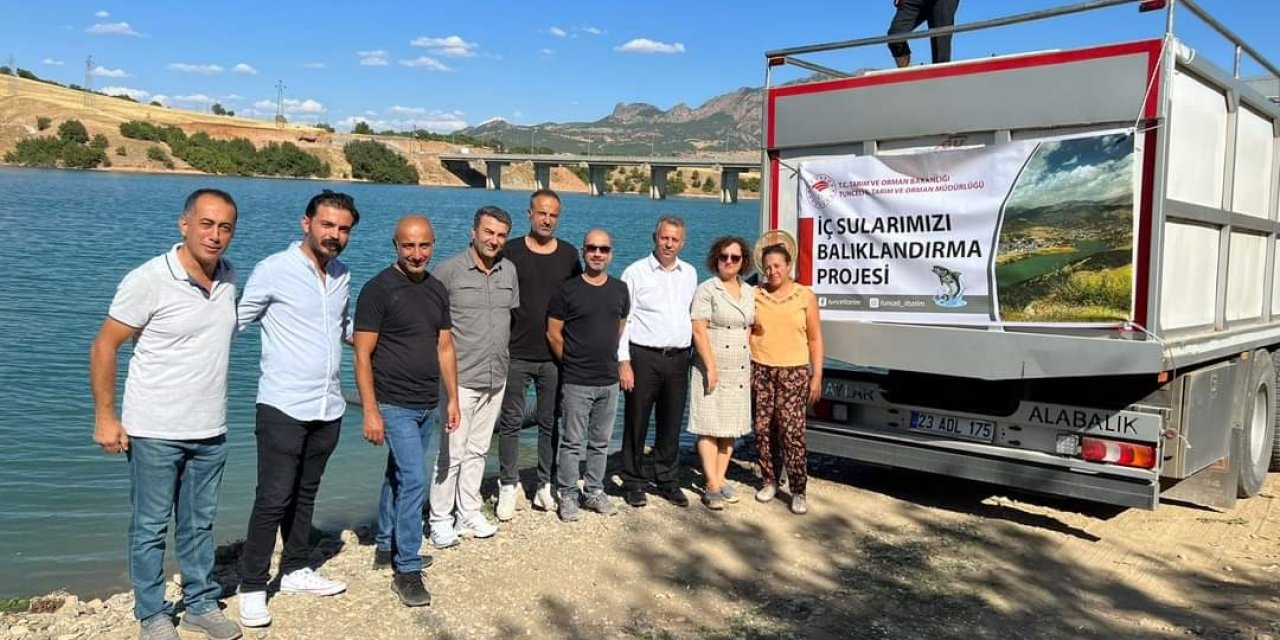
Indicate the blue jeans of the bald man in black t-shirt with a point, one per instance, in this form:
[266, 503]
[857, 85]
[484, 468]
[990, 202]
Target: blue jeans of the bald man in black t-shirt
[400, 510]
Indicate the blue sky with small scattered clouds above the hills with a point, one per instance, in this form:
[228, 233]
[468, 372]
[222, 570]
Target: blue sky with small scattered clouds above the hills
[447, 66]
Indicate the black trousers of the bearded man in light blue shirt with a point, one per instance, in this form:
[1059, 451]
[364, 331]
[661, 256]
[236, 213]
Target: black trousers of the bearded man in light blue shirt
[291, 459]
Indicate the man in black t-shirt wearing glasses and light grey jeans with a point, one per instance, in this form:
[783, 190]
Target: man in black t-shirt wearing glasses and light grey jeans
[584, 322]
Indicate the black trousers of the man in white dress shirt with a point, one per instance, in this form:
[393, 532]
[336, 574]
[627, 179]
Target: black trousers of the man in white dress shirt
[661, 387]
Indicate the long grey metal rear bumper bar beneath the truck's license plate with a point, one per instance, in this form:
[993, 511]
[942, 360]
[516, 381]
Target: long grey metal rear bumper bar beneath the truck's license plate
[1026, 476]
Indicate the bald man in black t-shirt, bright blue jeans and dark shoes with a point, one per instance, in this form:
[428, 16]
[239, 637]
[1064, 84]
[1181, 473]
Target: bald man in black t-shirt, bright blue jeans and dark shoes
[404, 350]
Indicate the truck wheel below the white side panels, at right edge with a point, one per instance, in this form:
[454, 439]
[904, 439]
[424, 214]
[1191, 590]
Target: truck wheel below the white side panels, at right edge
[1259, 426]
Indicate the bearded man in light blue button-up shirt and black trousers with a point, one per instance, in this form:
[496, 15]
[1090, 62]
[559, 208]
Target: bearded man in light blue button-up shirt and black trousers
[300, 296]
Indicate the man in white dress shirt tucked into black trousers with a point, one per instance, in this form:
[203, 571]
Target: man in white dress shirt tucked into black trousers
[653, 364]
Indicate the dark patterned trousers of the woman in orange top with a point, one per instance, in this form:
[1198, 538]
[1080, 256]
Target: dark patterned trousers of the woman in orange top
[781, 395]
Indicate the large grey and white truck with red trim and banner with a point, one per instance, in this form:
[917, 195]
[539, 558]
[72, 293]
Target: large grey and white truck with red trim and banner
[1054, 272]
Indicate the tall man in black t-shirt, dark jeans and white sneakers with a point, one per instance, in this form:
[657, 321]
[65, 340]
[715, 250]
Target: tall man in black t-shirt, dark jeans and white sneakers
[542, 264]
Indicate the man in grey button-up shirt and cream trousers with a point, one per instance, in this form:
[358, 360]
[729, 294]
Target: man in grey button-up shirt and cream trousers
[483, 290]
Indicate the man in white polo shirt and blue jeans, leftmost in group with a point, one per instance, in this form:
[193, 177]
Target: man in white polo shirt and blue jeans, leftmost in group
[180, 309]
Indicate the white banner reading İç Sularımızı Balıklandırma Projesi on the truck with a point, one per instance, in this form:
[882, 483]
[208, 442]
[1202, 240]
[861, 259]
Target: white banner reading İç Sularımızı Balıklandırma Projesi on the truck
[1027, 232]
